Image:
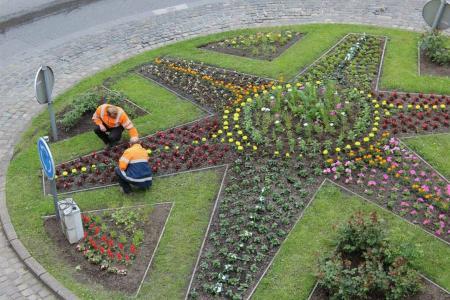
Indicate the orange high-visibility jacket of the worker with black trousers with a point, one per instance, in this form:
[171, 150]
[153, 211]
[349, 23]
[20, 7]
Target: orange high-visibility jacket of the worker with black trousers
[101, 117]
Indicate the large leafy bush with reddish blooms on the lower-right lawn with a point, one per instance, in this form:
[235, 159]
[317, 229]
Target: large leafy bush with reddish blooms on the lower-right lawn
[366, 266]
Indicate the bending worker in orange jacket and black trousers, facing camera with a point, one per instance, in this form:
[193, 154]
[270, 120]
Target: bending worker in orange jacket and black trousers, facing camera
[111, 120]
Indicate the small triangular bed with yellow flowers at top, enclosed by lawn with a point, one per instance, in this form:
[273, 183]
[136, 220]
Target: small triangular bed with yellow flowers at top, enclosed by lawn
[261, 45]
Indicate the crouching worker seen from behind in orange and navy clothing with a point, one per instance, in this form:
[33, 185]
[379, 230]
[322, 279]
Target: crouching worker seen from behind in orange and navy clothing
[134, 168]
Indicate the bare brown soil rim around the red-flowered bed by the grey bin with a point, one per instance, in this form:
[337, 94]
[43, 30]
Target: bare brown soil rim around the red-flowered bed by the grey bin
[91, 273]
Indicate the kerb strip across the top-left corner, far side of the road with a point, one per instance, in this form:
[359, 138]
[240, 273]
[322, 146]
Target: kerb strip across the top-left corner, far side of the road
[51, 8]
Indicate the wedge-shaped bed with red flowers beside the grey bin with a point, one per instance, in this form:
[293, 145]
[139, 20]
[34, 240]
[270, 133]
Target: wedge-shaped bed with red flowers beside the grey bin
[117, 245]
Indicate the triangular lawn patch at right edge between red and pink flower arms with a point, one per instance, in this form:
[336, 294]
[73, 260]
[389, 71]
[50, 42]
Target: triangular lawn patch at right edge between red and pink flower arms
[435, 149]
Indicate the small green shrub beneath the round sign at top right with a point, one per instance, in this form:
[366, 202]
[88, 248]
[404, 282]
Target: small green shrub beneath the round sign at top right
[433, 43]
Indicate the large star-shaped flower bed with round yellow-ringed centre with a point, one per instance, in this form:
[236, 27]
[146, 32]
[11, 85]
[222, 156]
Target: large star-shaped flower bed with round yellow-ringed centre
[280, 141]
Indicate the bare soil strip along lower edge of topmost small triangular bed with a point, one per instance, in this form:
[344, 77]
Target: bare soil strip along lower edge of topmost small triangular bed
[245, 53]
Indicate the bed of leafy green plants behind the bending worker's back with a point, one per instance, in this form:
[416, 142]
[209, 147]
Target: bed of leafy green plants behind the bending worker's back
[76, 118]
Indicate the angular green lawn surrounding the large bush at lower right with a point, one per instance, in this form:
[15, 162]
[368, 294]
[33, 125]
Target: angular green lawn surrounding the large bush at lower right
[292, 273]
